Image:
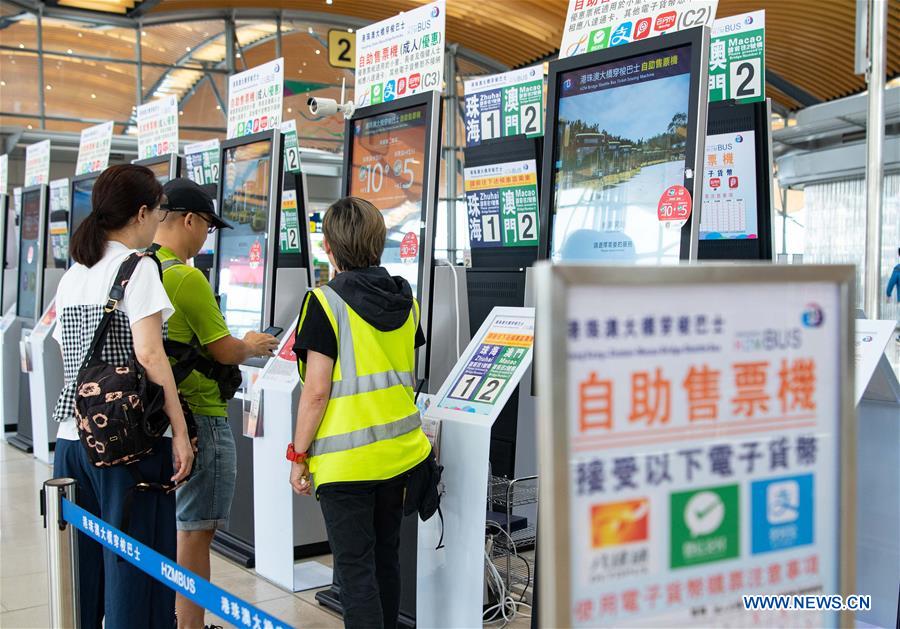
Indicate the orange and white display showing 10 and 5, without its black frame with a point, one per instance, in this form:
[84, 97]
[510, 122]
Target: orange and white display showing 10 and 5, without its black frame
[387, 168]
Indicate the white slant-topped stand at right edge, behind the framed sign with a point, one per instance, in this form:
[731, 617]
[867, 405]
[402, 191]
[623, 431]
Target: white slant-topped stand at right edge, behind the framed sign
[878, 479]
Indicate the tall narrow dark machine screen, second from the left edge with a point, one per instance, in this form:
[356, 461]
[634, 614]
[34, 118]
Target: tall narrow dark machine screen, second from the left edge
[32, 240]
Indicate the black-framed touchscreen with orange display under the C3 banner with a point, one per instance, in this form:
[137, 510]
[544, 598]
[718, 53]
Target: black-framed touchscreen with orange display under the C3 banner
[391, 160]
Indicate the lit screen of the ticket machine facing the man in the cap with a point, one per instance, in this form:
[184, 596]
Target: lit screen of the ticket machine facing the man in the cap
[242, 250]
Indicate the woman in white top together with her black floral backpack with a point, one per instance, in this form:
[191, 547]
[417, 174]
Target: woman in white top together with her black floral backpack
[111, 306]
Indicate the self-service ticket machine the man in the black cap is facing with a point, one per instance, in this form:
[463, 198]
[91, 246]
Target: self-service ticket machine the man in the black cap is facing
[259, 286]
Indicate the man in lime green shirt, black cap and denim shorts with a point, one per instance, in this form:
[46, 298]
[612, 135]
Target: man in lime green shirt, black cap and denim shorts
[206, 346]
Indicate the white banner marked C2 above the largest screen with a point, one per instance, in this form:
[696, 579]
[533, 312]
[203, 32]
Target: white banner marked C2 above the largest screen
[597, 24]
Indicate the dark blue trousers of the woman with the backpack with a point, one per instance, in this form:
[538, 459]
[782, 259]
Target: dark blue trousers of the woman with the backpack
[110, 587]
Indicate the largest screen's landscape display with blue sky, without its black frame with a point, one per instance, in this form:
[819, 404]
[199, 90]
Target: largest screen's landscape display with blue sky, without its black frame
[621, 138]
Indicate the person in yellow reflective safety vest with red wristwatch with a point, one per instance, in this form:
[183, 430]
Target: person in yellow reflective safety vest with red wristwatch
[358, 431]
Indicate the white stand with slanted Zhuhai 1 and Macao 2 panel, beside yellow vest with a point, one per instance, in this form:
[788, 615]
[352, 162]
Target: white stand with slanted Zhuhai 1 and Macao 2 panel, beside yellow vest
[450, 582]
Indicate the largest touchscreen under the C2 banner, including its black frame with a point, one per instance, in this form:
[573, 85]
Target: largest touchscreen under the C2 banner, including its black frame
[624, 125]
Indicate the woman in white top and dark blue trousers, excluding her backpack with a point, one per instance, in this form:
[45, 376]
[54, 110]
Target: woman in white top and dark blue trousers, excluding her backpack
[126, 211]
